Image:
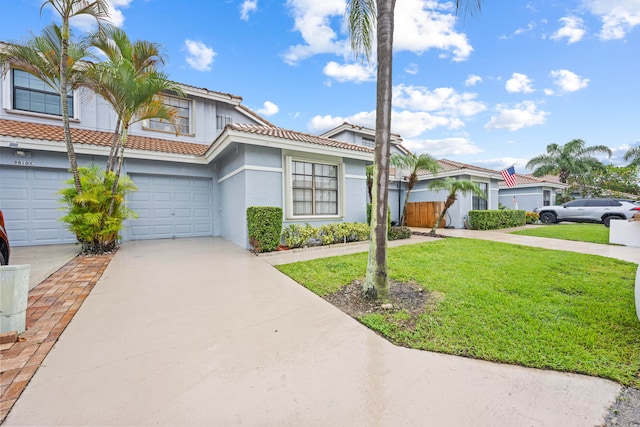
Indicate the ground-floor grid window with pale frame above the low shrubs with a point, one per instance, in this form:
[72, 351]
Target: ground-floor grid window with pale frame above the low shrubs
[314, 188]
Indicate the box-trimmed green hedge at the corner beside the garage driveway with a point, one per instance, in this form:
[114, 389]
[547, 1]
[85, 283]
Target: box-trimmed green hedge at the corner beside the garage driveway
[265, 227]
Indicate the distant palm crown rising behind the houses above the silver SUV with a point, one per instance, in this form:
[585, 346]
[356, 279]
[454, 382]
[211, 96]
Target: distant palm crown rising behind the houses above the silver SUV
[567, 160]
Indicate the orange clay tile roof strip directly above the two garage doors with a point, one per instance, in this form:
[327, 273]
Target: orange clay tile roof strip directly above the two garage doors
[82, 136]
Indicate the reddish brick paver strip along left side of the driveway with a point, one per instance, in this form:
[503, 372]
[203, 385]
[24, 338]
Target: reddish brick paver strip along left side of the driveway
[52, 304]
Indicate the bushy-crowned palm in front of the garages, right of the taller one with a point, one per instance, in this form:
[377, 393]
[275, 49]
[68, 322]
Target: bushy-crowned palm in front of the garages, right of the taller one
[130, 82]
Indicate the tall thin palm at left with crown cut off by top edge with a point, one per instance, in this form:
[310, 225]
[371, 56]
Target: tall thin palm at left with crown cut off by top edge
[68, 9]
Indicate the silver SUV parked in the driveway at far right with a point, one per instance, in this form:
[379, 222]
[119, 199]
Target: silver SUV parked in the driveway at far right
[589, 210]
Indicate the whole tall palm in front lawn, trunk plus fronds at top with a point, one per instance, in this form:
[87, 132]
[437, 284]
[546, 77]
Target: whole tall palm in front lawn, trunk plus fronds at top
[366, 18]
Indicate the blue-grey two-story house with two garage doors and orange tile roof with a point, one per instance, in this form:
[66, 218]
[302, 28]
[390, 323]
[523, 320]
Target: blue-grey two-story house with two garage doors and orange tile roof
[199, 183]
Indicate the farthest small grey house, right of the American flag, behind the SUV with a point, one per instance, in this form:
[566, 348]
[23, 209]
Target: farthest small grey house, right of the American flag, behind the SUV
[530, 192]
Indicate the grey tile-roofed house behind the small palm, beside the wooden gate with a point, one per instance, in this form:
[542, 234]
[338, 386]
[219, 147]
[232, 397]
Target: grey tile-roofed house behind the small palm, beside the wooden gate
[486, 179]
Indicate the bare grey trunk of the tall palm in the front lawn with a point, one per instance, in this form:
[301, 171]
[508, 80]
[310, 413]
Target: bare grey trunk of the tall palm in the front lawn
[377, 280]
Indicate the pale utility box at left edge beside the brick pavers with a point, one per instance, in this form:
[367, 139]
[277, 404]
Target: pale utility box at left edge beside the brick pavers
[14, 295]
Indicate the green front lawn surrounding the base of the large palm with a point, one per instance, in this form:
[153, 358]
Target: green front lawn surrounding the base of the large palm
[506, 303]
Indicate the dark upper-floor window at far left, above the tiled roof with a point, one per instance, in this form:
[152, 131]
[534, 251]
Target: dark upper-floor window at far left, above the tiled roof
[32, 94]
